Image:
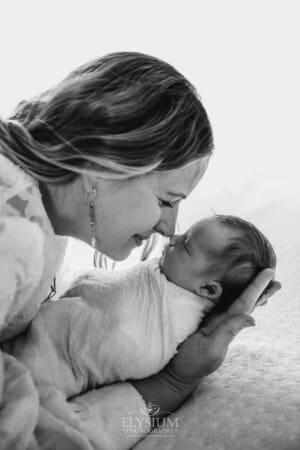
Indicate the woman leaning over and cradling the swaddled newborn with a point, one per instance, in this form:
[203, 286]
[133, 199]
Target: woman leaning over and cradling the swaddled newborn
[105, 156]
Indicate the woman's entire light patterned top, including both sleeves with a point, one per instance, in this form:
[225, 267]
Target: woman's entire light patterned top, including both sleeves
[30, 256]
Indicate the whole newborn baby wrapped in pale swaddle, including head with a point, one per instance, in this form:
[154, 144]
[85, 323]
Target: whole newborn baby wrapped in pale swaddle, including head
[113, 326]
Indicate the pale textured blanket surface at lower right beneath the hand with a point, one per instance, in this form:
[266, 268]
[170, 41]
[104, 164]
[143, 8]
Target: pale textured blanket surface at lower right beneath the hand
[253, 400]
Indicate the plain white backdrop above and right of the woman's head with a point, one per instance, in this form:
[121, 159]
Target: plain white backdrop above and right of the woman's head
[242, 56]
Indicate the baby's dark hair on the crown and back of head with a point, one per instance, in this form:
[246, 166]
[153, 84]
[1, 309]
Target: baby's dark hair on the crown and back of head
[242, 258]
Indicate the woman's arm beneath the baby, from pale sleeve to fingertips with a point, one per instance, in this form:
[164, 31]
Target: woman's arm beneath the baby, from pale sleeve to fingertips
[119, 415]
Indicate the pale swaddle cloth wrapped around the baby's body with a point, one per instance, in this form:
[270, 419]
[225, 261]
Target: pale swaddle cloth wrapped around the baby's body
[109, 326]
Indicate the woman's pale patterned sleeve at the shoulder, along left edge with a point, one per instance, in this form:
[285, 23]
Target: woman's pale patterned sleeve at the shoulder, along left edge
[30, 252]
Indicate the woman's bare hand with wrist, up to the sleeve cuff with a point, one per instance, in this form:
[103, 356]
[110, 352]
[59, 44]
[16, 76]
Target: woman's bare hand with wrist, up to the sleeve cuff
[204, 351]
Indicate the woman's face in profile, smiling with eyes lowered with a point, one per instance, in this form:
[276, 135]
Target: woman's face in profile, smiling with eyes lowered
[128, 211]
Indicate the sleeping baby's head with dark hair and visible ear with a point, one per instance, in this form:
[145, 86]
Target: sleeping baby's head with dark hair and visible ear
[217, 258]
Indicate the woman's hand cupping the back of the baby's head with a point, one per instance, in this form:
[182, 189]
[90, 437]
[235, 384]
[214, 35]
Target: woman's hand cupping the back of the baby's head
[204, 351]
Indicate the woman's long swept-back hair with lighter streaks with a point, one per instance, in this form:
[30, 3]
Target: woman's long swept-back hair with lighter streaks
[118, 116]
